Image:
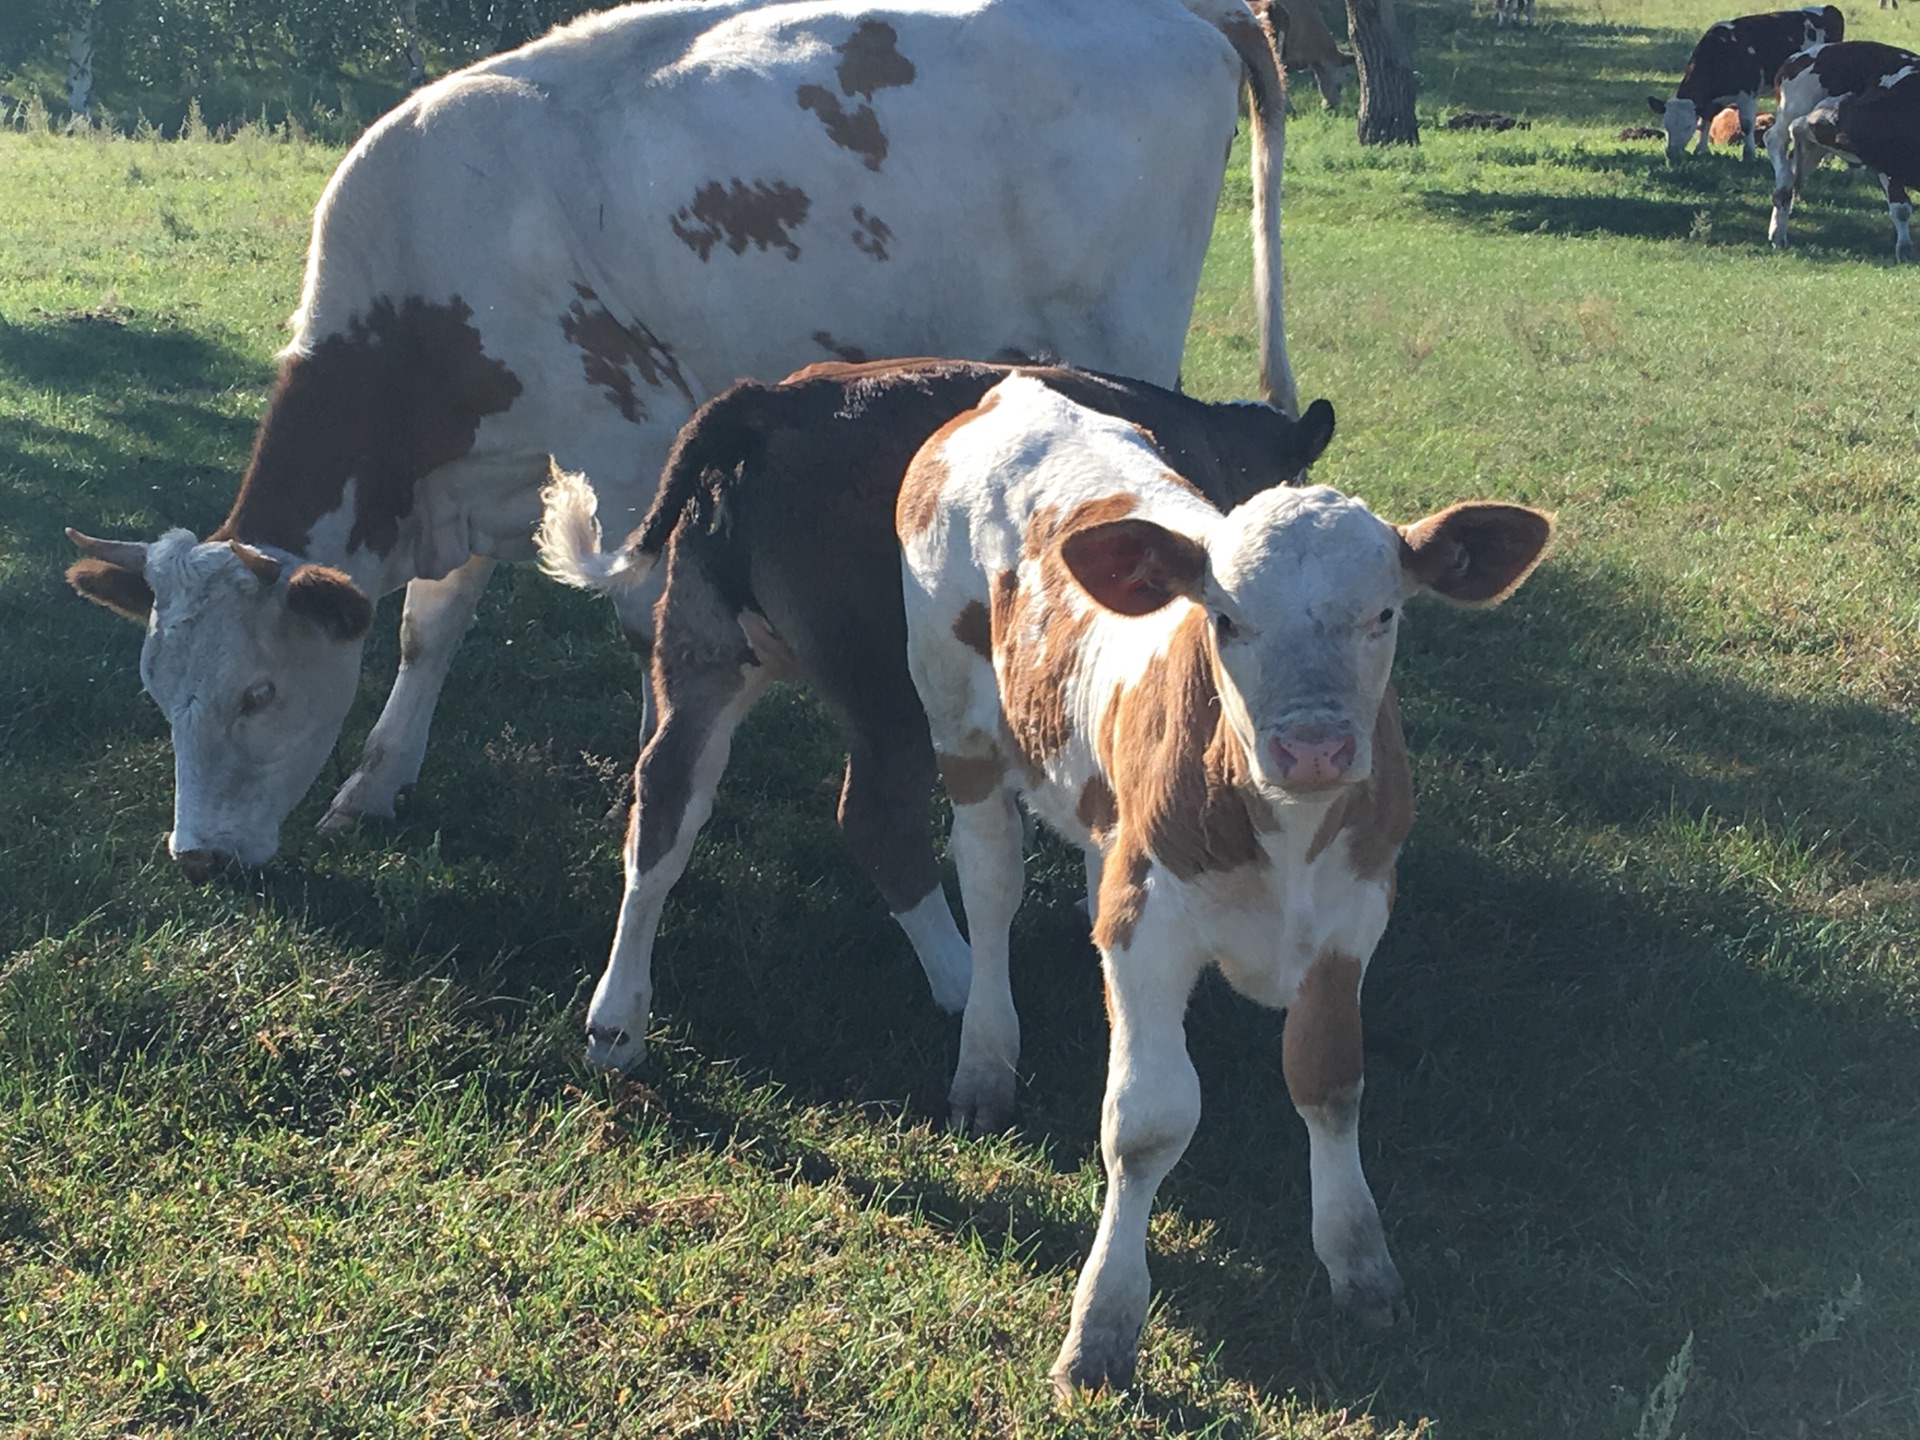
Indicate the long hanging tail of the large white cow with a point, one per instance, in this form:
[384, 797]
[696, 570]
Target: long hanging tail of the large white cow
[1251, 36]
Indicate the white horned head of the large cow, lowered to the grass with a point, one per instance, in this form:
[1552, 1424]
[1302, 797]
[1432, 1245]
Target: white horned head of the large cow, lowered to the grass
[254, 663]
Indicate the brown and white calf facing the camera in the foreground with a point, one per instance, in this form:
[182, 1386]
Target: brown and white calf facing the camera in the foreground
[1203, 702]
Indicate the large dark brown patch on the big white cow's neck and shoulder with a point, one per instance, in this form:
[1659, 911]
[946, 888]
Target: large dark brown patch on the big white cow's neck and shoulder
[389, 400]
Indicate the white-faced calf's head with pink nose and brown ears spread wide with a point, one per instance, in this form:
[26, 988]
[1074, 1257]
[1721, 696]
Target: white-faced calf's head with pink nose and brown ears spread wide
[1305, 590]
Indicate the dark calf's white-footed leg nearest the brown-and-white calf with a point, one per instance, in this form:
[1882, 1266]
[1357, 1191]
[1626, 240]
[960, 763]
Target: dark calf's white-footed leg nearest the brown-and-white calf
[884, 815]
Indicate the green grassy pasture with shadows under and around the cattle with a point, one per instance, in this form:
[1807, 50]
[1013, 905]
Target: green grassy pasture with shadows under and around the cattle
[314, 1153]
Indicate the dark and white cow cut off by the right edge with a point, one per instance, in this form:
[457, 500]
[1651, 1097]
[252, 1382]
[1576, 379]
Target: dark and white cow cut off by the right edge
[1858, 101]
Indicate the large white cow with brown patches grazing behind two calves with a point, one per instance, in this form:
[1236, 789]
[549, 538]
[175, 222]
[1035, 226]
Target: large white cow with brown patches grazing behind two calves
[562, 251]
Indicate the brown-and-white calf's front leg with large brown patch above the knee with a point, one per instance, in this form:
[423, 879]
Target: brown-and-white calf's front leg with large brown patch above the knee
[1322, 1061]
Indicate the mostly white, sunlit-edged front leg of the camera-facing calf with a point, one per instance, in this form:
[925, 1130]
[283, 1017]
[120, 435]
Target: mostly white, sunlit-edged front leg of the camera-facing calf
[1151, 1111]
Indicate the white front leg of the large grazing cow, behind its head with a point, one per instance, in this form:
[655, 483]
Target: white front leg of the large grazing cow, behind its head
[431, 627]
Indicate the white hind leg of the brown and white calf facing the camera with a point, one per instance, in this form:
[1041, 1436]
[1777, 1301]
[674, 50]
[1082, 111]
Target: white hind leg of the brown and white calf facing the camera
[986, 848]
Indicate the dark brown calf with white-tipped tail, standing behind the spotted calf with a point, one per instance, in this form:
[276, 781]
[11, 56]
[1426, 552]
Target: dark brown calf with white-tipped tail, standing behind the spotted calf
[804, 579]
